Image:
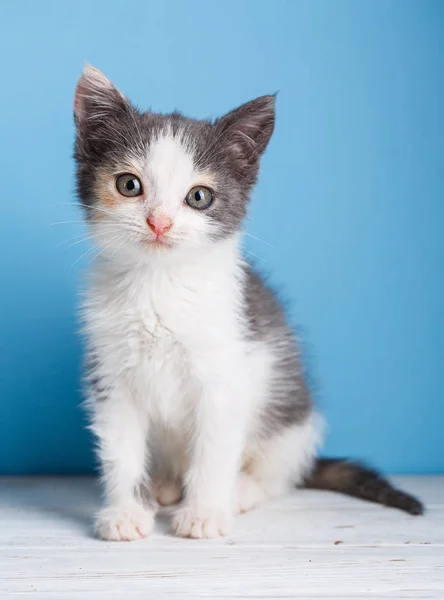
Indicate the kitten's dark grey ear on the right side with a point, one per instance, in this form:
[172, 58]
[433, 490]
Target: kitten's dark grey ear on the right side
[244, 133]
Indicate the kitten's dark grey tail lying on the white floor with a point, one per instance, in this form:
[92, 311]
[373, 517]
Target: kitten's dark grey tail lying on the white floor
[358, 480]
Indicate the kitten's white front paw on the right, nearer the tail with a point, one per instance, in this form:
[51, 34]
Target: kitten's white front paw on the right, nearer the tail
[202, 523]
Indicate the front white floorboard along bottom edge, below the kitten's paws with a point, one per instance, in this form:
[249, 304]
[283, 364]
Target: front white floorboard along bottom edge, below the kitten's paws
[230, 571]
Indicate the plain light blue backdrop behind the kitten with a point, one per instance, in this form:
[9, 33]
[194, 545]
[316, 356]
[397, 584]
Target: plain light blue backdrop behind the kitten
[351, 198]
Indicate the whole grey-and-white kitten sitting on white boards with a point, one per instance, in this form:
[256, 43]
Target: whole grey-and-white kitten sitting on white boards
[194, 381]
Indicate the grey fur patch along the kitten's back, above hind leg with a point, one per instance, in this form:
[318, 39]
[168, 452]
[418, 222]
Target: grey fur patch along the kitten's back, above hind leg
[290, 400]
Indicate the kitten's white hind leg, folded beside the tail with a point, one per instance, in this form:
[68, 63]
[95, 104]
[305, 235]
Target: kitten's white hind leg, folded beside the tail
[272, 466]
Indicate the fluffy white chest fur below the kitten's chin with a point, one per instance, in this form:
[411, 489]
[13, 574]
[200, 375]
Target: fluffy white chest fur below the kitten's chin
[152, 323]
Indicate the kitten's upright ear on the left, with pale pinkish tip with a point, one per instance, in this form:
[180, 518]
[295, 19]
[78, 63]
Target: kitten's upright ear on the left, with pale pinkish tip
[95, 98]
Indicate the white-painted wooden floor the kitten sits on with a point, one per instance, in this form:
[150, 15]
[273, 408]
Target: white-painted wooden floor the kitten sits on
[309, 545]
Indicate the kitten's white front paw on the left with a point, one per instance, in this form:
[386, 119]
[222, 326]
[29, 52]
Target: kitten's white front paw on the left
[124, 523]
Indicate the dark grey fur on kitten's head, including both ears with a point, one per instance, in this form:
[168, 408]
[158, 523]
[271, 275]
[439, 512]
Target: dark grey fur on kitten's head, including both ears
[110, 129]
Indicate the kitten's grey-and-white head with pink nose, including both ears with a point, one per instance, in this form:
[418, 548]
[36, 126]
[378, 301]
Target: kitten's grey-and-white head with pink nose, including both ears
[152, 182]
